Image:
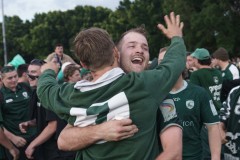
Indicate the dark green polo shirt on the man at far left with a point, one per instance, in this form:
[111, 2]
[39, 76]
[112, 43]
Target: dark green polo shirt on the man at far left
[15, 109]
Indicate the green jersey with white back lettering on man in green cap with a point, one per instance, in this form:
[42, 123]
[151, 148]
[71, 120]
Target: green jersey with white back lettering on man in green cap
[211, 80]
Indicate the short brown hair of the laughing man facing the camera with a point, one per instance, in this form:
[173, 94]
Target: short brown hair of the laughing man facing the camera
[141, 30]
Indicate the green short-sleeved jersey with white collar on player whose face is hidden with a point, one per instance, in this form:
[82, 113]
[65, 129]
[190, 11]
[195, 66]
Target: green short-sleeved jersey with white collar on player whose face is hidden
[194, 107]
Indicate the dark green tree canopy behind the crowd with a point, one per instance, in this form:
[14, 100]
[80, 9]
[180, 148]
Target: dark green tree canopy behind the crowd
[207, 24]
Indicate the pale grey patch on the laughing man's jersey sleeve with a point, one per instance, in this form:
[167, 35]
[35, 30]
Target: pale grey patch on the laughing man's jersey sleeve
[168, 109]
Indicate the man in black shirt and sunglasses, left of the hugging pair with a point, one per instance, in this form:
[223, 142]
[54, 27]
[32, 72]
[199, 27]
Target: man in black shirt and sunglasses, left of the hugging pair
[44, 146]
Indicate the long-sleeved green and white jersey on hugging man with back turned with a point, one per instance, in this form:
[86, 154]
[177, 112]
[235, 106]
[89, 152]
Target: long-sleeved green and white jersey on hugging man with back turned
[115, 94]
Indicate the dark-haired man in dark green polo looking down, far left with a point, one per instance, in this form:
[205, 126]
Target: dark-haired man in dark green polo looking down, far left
[15, 110]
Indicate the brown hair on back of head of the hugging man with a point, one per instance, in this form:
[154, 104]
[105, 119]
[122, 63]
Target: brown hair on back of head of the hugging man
[94, 47]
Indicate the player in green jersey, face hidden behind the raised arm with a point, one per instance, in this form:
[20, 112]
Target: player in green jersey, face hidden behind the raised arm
[195, 108]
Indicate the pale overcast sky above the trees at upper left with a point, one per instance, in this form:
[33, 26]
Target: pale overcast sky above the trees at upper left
[26, 9]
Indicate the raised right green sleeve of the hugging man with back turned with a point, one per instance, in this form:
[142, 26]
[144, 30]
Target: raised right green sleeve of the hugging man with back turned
[168, 71]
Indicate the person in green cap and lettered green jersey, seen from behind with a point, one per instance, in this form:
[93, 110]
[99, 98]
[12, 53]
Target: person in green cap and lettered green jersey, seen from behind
[210, 79]
